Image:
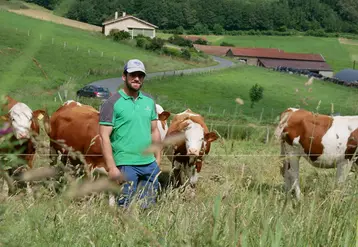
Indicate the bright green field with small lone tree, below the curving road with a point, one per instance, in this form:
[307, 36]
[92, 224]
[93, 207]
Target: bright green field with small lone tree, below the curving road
[214, 94]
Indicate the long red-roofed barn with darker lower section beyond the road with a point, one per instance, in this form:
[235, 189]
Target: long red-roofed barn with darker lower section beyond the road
[273, 58]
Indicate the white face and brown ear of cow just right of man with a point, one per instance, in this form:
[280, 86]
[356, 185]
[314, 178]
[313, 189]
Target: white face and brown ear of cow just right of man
[195, 138]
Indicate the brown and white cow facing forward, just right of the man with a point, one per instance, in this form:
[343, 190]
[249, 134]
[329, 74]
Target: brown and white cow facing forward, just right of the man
[187, 157]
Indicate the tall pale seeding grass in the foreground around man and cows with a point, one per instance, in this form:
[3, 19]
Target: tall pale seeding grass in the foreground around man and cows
[239, 201]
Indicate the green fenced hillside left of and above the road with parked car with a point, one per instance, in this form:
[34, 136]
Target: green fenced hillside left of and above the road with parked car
[38, 56]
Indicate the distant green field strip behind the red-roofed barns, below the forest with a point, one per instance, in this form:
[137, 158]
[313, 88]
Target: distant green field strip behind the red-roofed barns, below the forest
[337, 55]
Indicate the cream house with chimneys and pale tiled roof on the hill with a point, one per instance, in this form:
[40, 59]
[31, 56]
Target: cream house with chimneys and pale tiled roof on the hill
[129, 23]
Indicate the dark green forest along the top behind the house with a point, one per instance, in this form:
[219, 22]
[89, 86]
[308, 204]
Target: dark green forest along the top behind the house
[212, 16]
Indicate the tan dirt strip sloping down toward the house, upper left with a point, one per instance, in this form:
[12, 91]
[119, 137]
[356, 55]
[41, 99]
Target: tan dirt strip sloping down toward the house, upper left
[47, 16]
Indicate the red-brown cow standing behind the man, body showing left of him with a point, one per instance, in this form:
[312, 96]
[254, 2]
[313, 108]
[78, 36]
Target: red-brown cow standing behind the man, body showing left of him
[77, 126]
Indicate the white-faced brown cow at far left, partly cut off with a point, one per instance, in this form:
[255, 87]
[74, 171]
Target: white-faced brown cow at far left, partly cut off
[21, 125]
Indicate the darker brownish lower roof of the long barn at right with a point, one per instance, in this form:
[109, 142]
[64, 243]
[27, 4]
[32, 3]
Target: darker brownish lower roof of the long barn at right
[309, 65]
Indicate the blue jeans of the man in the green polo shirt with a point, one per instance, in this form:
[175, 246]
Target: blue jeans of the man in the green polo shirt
[143, 177]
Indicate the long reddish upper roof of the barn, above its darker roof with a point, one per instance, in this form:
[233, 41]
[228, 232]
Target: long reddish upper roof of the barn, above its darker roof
[276, 54]
